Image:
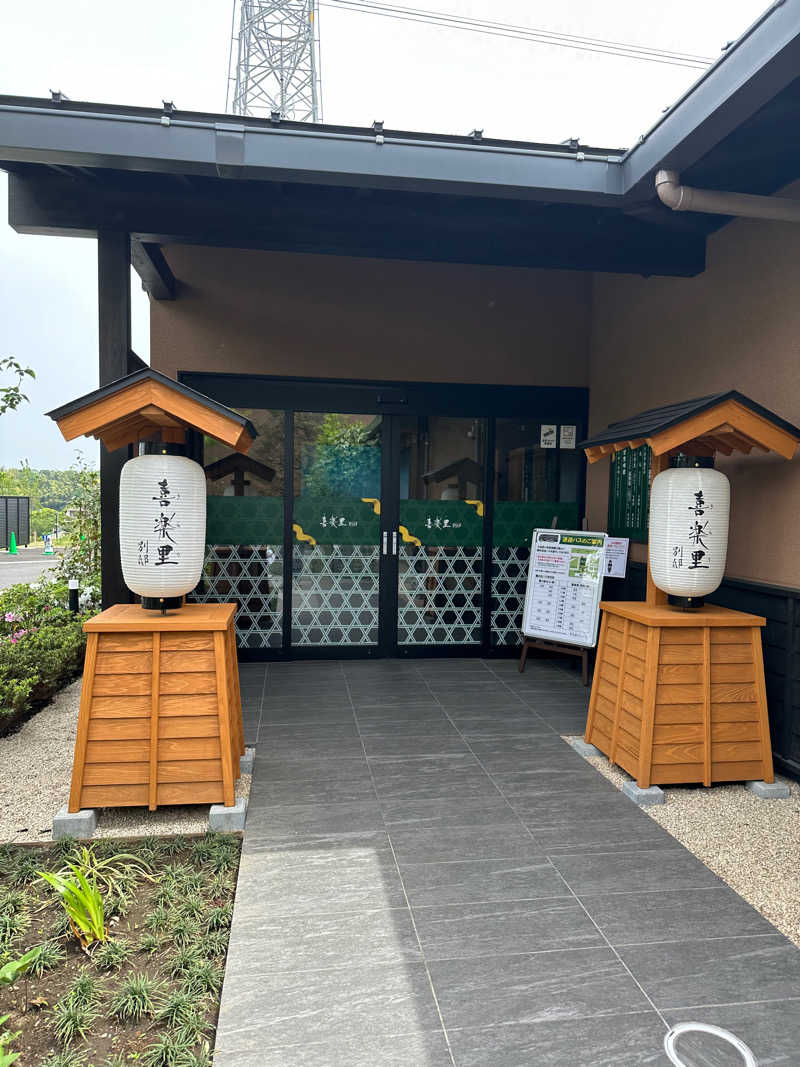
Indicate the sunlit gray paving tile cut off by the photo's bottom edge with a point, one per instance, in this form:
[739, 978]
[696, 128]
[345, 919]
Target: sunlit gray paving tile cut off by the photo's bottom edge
[428, 1049]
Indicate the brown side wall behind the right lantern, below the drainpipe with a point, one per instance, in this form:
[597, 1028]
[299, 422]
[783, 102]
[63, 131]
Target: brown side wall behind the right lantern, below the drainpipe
[738, 326]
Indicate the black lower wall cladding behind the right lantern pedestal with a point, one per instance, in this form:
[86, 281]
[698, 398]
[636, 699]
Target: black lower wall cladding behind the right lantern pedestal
[781, 641]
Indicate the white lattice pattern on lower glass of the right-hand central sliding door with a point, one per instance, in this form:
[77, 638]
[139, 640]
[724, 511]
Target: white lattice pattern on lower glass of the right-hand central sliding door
[440, 595]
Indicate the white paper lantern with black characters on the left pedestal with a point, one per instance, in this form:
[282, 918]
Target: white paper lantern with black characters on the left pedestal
[163, 525]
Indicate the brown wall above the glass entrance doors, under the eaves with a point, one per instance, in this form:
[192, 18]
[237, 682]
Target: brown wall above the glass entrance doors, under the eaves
[274, 313]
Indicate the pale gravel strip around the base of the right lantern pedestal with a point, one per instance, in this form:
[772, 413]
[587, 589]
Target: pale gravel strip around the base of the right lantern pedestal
[753, 845]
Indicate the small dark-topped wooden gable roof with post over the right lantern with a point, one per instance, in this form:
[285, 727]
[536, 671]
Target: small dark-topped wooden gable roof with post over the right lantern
[725, 423]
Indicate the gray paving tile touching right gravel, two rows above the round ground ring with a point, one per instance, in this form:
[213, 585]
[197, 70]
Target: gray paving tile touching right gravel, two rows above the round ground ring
[674, 916]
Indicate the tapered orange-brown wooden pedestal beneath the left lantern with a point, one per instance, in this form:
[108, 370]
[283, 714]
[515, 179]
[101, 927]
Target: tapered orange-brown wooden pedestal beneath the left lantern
[161, 718]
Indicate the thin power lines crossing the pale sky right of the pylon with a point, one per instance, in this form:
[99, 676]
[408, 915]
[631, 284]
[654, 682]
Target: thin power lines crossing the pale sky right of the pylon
[533, 35]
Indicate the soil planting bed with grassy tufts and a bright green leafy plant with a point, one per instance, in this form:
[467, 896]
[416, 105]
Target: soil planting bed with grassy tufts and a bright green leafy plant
[136, 995]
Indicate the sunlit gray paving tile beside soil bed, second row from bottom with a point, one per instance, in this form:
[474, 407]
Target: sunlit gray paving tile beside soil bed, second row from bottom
[264, 1011]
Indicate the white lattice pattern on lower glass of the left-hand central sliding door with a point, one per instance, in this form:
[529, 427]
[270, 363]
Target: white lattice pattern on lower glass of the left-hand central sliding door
[335, 595]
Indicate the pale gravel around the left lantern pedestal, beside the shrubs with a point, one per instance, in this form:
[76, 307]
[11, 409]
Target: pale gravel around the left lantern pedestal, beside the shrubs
[37, 766]
